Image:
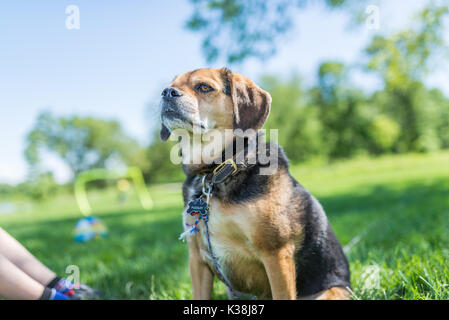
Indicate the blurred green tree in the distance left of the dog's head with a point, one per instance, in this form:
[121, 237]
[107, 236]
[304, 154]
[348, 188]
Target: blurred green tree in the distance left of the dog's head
[82, 143]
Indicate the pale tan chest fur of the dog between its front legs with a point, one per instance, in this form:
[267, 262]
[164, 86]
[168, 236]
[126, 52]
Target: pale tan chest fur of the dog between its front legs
[229, 237]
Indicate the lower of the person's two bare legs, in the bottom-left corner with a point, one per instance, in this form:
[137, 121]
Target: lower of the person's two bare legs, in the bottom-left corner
[15, 284]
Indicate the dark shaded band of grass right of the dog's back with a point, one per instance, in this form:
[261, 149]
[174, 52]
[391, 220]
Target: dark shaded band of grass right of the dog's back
[413, 216]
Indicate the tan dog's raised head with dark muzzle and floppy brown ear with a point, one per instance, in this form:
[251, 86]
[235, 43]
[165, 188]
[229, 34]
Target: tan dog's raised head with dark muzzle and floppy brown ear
[206, 99]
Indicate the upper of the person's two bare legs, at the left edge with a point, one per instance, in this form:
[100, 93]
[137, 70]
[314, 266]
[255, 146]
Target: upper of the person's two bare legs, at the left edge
[12, 250]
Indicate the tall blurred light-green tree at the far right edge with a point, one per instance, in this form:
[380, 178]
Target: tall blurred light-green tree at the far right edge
[403, 60]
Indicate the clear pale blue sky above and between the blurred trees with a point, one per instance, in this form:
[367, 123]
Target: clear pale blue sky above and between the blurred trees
[125, 52]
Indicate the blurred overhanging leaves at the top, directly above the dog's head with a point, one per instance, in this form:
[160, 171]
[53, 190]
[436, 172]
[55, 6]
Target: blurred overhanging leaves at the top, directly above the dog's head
[239, 29]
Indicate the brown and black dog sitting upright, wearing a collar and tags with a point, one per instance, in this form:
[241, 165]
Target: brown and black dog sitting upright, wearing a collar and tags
[270, 237]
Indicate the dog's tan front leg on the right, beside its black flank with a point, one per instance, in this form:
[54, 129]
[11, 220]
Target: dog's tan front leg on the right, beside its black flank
[280, 268]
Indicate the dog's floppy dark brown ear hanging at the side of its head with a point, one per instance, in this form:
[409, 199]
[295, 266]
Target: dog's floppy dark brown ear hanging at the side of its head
[251, 103]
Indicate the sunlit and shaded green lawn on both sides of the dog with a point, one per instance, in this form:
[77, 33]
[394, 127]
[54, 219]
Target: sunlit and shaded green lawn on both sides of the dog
[390, 213]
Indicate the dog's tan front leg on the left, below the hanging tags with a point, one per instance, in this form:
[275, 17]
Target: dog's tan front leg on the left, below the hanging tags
[202, 276]
